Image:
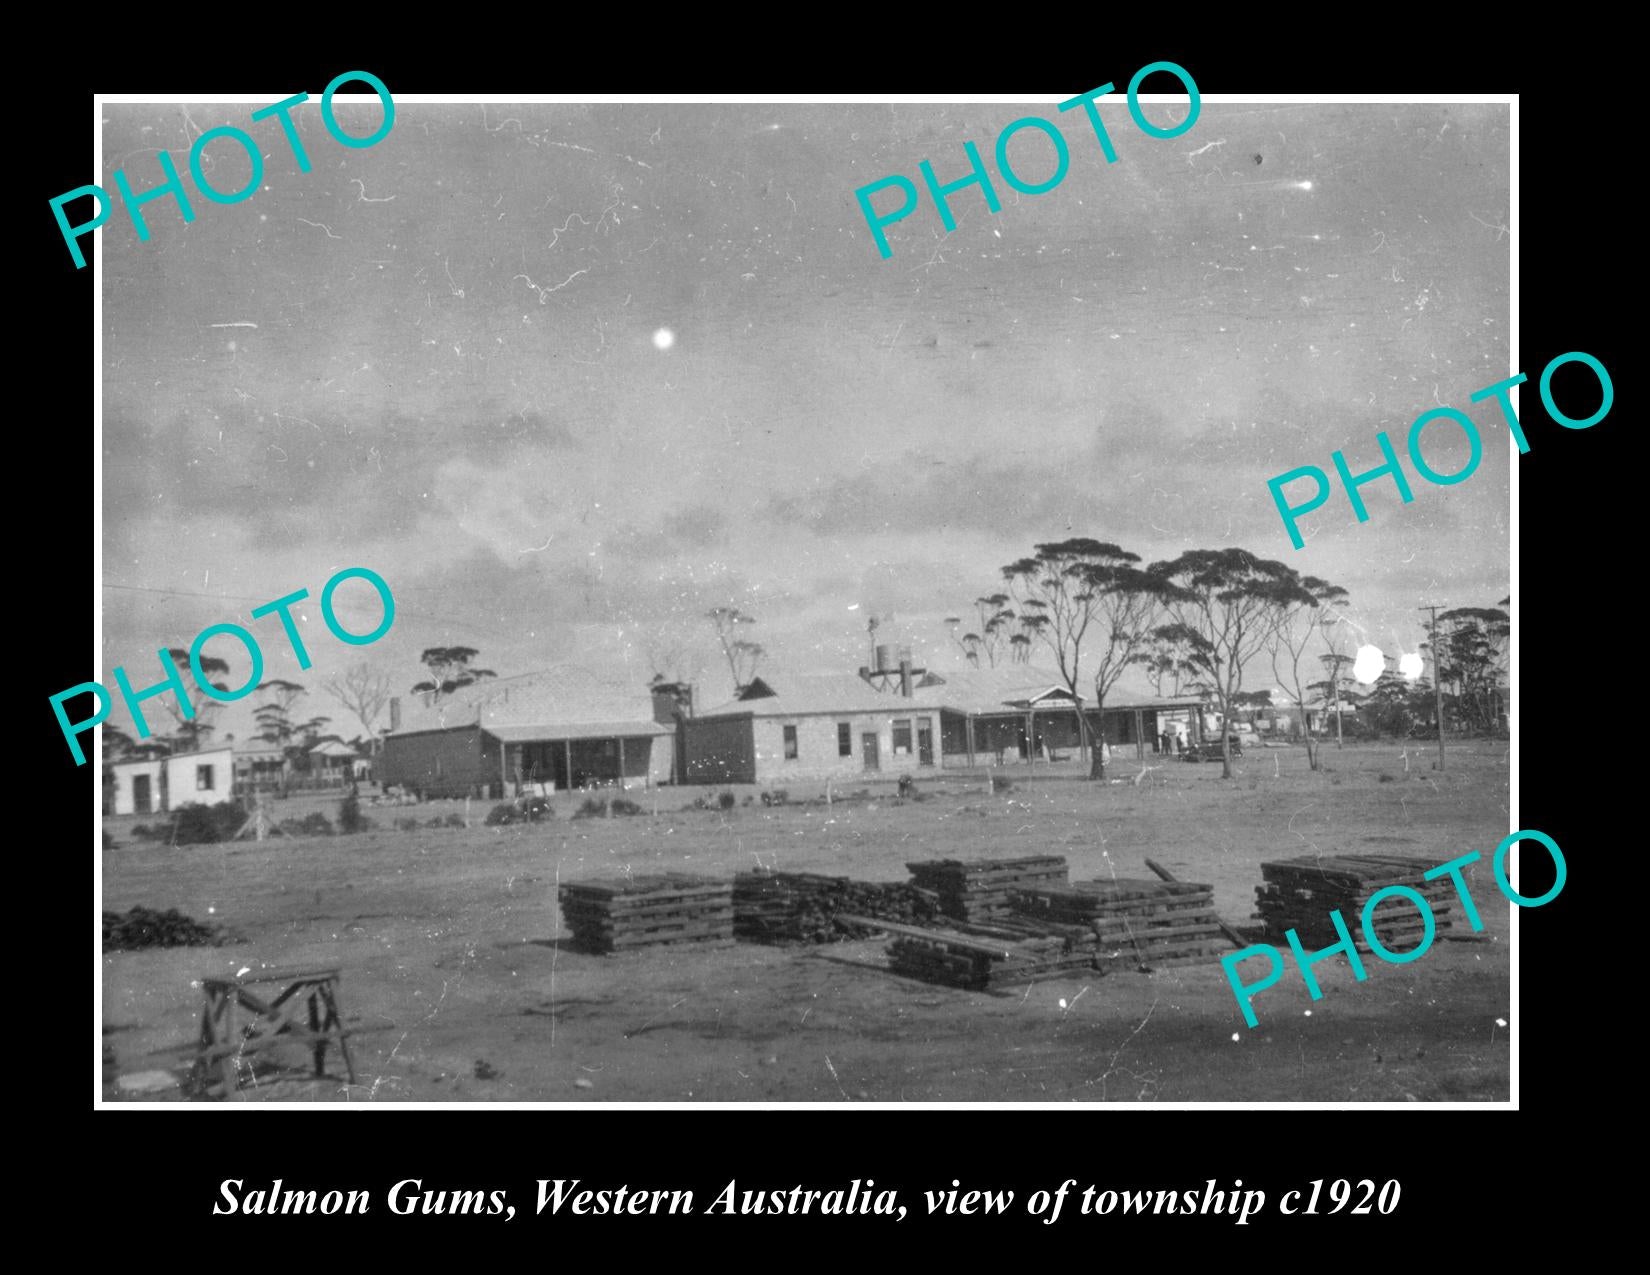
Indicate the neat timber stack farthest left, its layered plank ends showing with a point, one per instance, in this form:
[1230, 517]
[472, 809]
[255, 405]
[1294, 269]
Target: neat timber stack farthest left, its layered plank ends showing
[643, 911]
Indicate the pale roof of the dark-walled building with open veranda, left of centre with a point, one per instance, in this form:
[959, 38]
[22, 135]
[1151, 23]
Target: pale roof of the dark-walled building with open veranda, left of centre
[547, 702]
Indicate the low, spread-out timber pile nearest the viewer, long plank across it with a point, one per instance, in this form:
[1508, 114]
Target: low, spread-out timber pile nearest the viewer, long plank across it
[981, 957]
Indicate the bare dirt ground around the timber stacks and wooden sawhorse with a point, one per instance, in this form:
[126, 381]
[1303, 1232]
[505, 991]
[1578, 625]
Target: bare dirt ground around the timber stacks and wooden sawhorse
[453, 971]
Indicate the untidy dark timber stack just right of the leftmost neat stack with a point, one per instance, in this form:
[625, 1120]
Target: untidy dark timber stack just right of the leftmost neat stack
[801, 908]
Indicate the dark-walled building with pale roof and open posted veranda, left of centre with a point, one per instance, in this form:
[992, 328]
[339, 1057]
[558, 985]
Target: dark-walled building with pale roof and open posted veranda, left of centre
[559, 730]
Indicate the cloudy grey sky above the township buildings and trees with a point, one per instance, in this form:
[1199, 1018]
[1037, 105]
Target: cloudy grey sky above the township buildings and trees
[441, 359]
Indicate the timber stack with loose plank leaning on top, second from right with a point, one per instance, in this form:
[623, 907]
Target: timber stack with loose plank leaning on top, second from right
[1136, 923]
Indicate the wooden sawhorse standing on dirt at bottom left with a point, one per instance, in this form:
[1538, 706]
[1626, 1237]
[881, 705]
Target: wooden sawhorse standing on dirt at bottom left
[227, 1038]
